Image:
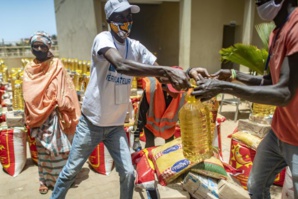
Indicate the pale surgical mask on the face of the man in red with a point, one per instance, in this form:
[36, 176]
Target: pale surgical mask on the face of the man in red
[269, 10]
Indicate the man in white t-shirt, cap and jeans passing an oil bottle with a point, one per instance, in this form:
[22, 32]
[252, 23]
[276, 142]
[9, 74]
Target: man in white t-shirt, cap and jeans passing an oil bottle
[115, 59]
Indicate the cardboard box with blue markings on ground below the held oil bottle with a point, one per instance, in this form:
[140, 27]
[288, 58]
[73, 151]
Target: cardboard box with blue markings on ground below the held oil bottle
[201, 187]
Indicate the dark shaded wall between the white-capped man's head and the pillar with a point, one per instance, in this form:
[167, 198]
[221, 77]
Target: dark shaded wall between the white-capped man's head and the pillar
[157, 27]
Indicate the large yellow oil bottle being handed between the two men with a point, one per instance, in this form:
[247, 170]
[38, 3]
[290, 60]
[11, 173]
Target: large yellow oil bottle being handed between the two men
[194, 120]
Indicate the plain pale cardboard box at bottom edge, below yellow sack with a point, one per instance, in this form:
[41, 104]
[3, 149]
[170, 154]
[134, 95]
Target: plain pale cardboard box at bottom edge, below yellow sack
[171, 191]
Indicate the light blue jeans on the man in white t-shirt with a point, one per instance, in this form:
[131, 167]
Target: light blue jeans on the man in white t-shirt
[86, 138]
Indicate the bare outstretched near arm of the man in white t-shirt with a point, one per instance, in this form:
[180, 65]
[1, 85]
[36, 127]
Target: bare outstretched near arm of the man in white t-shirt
[128, 67]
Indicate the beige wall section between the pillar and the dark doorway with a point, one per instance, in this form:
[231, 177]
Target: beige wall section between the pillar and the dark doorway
[207, 24]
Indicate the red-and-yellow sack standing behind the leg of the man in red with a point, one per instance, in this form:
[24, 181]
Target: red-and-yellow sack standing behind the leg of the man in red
[242, 153]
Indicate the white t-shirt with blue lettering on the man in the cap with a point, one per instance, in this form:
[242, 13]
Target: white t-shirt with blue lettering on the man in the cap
[107, 95]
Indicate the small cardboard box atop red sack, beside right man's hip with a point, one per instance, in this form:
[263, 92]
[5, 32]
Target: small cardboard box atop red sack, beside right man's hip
[254, 128]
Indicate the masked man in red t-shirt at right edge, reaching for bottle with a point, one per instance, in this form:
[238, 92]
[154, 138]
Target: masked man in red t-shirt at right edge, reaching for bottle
[280, 147]
